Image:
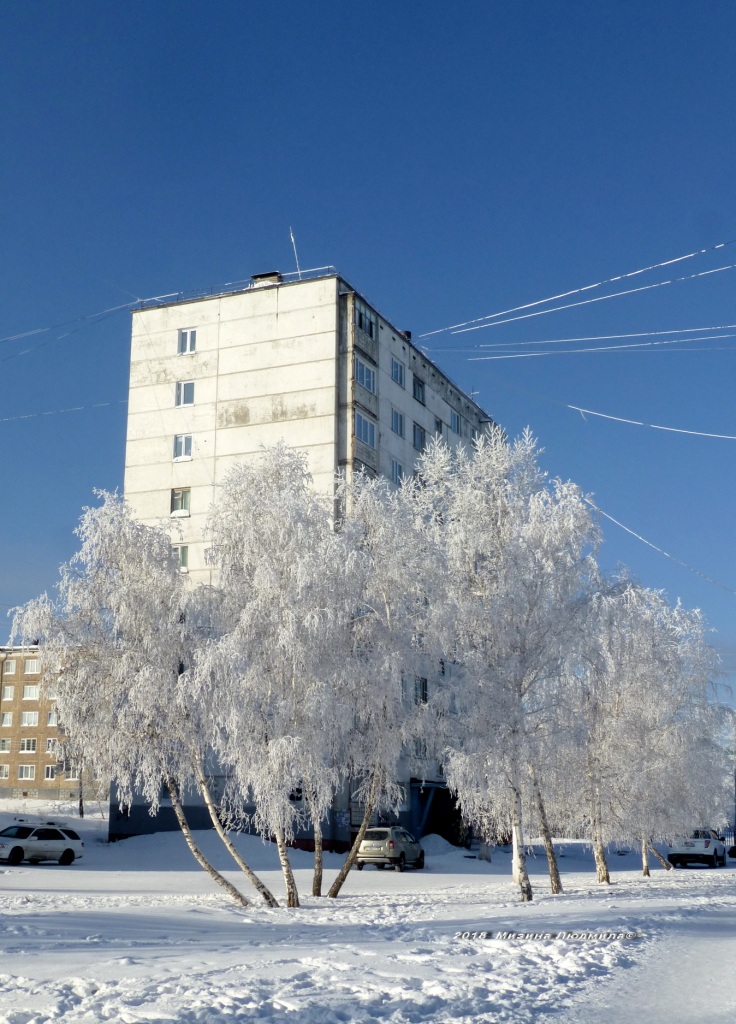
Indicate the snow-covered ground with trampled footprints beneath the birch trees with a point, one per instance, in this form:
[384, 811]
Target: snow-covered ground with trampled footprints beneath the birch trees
[136, 932]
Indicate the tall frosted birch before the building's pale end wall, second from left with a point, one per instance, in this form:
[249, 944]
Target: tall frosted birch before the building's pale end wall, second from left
[272, 681]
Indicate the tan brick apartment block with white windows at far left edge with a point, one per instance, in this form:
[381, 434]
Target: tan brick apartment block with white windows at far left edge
[30, 765]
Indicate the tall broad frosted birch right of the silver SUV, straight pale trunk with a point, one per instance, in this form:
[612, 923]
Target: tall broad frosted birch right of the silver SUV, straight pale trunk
[518, 554]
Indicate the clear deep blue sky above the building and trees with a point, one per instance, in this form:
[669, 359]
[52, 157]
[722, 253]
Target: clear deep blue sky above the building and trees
[452, 162]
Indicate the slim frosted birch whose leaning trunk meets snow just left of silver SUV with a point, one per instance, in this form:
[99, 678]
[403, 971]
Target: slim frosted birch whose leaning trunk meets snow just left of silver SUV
[400, 572]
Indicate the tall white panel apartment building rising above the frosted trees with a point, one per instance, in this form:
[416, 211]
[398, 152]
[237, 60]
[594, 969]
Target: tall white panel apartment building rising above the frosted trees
[307, 361]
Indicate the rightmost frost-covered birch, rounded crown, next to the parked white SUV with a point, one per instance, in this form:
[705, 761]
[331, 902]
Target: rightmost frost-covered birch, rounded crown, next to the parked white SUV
[646, 730]
